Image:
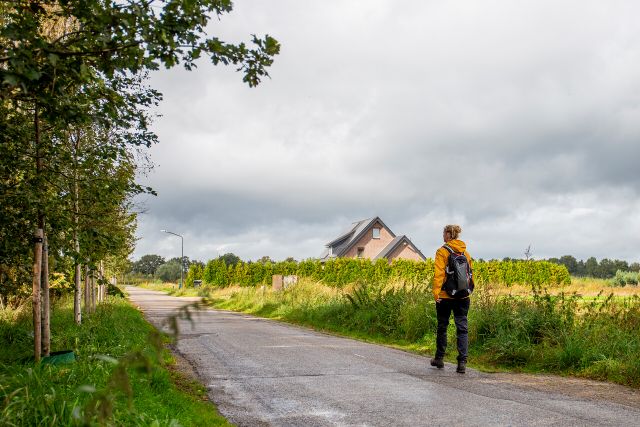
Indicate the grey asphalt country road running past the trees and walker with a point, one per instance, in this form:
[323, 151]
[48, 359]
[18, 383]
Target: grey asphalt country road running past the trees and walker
[265, 373]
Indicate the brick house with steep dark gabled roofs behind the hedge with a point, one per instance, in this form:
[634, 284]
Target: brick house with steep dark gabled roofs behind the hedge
[371, 239]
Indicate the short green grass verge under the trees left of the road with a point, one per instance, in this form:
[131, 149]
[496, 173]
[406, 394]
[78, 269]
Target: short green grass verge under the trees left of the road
[93, 390]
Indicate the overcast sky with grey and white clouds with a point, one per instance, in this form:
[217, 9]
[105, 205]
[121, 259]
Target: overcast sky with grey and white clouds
[518, 120]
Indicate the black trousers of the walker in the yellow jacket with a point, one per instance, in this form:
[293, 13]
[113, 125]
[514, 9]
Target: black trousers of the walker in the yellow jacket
[460, 308]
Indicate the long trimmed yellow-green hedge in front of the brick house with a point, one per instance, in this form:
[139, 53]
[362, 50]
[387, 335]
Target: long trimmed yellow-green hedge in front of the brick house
[341, 271]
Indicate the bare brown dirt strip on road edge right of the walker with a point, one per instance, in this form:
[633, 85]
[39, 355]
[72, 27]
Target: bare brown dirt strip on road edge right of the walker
[568, 386]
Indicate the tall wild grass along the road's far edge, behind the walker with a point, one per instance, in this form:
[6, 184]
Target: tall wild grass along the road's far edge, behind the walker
[539, 332]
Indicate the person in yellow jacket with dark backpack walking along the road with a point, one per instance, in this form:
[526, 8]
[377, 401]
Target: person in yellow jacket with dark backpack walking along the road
[452, 264]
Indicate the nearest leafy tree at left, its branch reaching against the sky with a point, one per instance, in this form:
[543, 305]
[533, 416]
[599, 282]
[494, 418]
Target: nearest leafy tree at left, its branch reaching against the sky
[77, 62]
